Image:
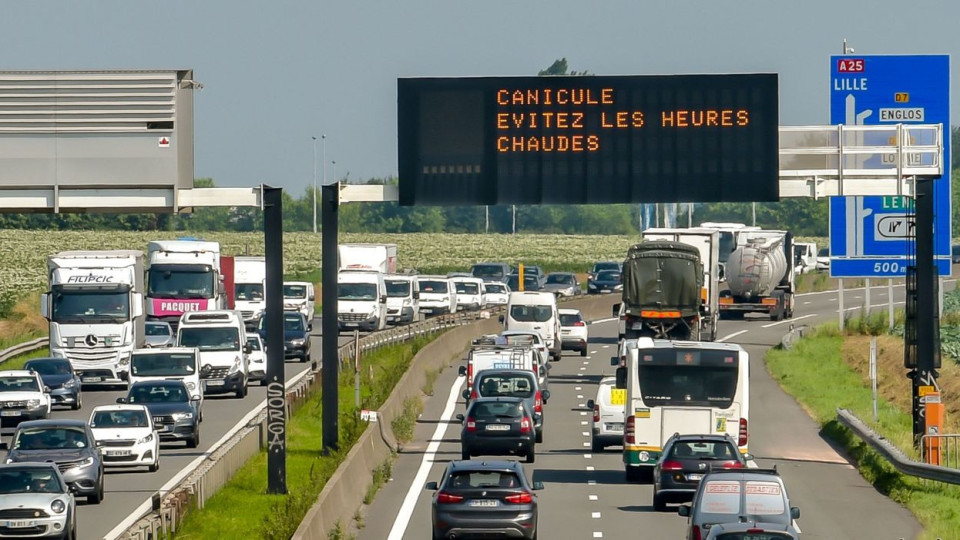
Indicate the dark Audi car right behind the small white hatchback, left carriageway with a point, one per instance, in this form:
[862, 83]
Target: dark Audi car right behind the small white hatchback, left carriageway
[175, 414]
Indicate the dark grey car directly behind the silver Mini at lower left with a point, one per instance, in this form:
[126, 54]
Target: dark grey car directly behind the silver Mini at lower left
[68, 443]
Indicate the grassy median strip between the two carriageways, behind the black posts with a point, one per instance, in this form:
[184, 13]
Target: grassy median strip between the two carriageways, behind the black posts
[244, 509]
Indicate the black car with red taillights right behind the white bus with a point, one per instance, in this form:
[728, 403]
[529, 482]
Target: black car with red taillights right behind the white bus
[684, 462]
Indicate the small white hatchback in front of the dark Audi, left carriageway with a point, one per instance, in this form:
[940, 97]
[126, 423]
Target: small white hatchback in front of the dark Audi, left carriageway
[126, 435]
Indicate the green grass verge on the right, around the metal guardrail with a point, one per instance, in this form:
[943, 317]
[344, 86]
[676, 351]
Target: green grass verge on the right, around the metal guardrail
[816, 375]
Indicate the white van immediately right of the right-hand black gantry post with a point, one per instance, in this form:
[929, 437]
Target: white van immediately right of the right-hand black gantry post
[361, 300]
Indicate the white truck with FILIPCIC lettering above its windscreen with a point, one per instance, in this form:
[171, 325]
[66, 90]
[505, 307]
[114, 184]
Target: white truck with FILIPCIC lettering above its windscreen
[95, 309]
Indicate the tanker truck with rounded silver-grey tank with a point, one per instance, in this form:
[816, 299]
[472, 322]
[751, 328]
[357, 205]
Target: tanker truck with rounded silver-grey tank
[760, 276]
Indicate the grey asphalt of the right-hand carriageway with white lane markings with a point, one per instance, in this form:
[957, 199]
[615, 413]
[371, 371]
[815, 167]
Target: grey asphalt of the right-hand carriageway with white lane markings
[586, 495]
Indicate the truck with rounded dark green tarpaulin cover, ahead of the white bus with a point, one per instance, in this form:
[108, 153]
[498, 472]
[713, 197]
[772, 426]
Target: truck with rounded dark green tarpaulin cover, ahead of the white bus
[662, 291]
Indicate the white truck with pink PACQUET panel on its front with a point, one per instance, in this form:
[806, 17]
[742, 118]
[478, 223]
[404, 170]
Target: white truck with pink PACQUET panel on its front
[183, 276]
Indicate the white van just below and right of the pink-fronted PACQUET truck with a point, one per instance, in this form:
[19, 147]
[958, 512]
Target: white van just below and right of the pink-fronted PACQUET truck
[221, 337]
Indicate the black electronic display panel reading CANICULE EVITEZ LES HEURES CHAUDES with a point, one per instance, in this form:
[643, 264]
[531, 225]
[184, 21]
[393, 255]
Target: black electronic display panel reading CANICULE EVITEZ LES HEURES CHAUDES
[590, 139]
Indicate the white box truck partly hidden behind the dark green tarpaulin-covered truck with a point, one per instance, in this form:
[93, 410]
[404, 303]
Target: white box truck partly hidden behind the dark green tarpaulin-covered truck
[707, 242]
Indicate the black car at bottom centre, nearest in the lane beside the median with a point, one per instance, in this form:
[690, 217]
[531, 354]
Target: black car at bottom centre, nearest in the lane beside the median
[487, 499]
